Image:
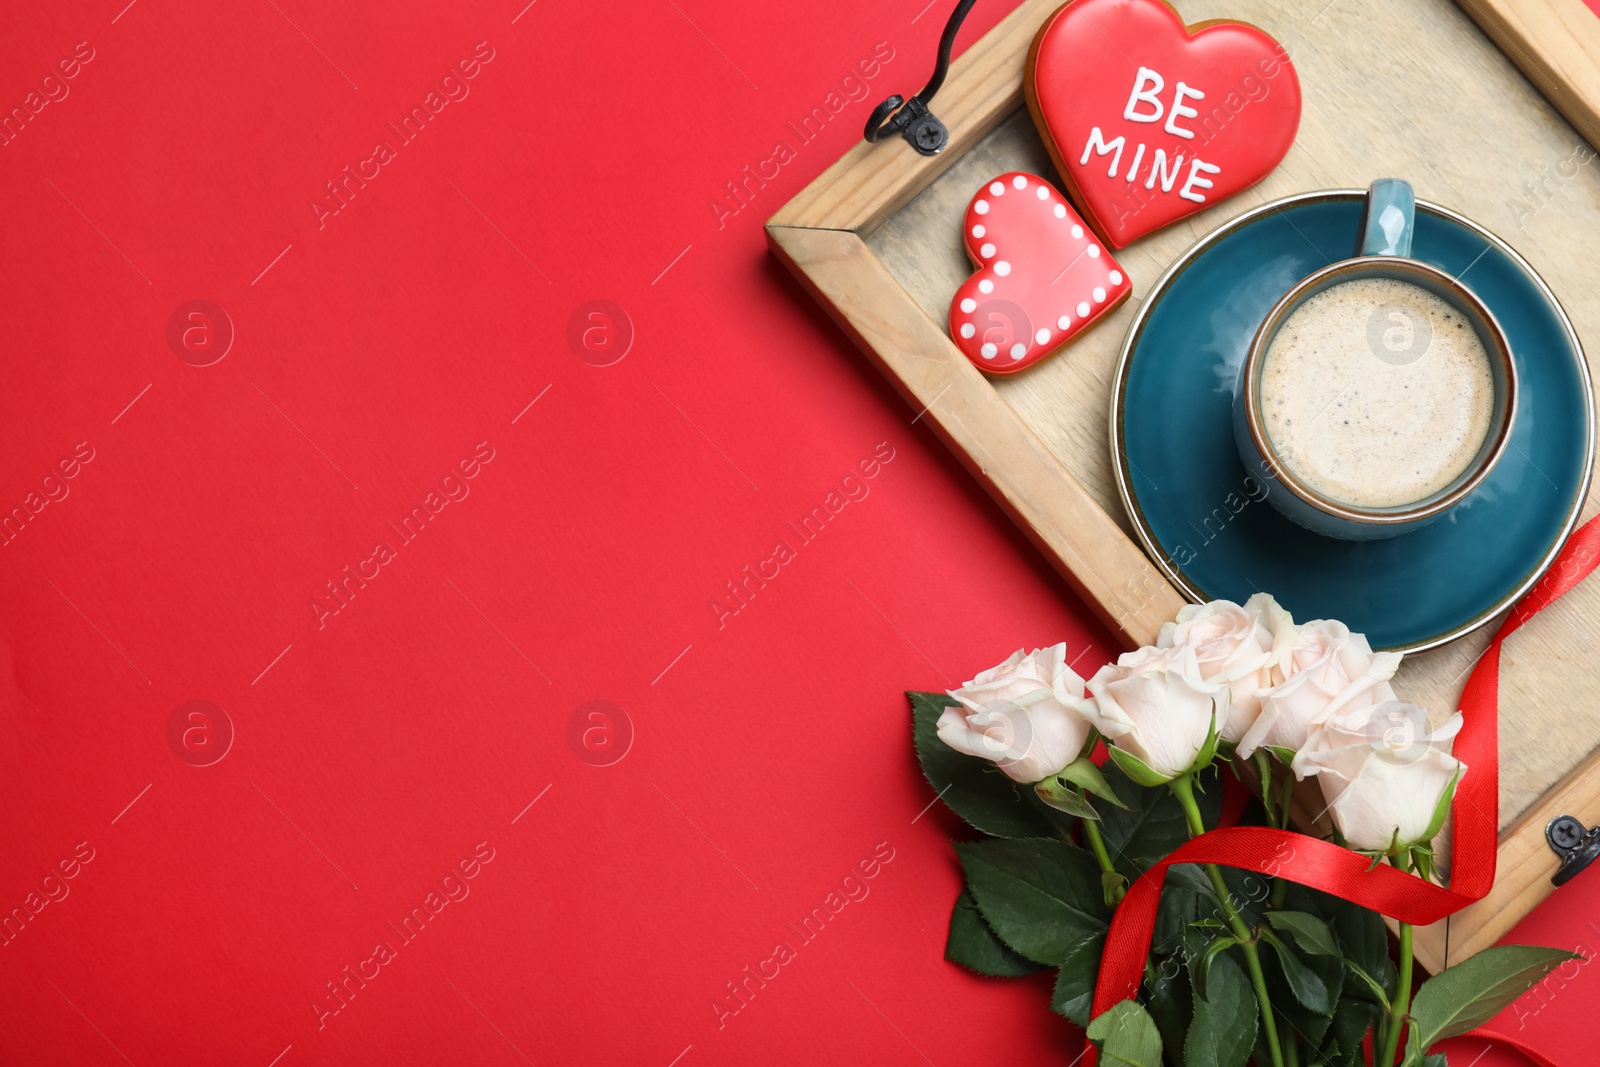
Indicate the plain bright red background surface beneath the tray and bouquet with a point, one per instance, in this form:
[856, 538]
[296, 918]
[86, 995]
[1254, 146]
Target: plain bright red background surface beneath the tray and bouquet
[375, 350]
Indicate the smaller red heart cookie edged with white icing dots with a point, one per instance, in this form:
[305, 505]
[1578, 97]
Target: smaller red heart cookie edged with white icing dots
[1042, 278]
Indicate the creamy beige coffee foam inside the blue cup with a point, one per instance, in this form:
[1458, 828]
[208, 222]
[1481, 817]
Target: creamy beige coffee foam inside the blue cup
[1377, 393]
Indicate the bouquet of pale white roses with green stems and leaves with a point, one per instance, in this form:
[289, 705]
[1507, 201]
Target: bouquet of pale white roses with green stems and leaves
[1244, 969]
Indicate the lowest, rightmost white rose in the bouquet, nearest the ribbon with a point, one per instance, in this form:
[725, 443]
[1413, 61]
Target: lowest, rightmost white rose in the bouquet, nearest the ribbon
[1383, 773]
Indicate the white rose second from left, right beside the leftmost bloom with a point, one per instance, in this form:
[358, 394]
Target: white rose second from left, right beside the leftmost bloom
[1154, 705]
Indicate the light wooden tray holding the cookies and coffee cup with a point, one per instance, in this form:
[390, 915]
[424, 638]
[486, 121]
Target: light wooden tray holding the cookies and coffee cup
[1414, 90]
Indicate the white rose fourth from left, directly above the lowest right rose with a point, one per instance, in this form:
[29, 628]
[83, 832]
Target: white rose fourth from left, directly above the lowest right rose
[1326, 669]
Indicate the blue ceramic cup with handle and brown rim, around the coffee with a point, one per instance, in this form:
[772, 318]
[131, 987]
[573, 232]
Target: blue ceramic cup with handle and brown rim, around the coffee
[1383, 252]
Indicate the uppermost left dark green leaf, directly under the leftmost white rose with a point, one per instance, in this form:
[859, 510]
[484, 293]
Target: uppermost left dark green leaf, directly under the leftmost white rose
[972, 788]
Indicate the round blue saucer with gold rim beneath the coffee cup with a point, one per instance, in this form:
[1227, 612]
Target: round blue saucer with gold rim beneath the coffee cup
[1207, 524]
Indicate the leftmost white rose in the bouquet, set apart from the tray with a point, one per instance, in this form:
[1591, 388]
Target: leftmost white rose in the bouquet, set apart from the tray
[1023, 716]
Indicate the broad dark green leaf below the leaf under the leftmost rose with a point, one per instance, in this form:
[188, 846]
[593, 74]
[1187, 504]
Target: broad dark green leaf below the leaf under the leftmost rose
[1042, 897]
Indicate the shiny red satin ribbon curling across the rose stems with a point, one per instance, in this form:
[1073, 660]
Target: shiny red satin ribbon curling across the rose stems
[1342, 873]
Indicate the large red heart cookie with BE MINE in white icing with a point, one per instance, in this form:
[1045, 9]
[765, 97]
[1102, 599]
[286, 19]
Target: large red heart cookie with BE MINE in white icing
[1150, 121]
